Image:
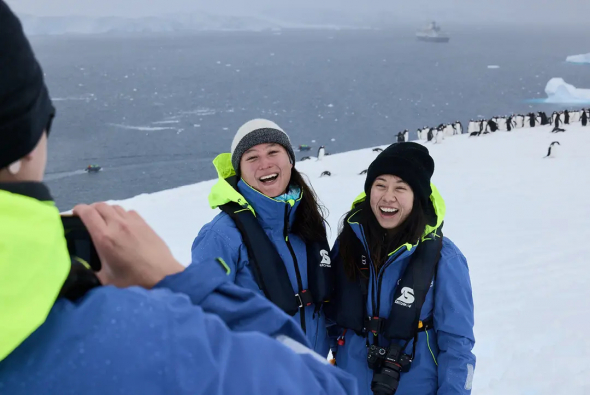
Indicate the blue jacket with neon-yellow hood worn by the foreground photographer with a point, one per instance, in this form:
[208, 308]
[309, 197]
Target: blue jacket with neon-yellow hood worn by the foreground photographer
[194, 333]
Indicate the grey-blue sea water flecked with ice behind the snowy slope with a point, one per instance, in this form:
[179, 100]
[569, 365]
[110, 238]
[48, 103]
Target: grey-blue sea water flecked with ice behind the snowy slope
[155, 110]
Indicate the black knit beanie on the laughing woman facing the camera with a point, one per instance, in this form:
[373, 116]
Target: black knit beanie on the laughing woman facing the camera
[409, 161]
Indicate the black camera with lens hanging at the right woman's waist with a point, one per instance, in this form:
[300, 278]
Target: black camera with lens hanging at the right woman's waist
[387, 365]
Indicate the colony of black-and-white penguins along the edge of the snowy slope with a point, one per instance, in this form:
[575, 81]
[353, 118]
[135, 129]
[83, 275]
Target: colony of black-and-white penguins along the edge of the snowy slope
[482, 127]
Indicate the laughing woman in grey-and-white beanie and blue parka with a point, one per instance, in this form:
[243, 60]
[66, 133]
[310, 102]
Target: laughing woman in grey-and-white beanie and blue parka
[258, 179]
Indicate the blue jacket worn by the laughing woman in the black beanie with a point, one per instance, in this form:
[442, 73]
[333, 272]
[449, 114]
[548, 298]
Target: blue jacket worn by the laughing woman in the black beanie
[443, 363]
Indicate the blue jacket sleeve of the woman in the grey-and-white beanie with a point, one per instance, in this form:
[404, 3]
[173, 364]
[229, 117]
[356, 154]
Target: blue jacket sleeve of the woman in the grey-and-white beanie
[213, 245]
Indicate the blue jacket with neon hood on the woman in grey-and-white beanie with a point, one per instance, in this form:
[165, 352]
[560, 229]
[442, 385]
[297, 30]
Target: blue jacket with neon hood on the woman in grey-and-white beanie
[221, 238]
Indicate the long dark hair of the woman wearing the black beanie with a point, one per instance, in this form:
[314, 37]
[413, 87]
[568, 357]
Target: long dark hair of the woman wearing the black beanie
[379, 241]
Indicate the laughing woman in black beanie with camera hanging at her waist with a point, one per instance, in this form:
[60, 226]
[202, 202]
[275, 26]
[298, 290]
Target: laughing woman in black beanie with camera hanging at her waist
[403, 306]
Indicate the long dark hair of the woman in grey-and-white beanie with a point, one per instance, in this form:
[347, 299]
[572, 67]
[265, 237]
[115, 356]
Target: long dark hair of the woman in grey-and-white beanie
[310, 218]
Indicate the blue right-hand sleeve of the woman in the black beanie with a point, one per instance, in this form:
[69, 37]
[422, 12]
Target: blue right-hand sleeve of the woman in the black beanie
[453, 322]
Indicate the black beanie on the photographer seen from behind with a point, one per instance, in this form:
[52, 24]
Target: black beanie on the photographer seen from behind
[25, 107]
